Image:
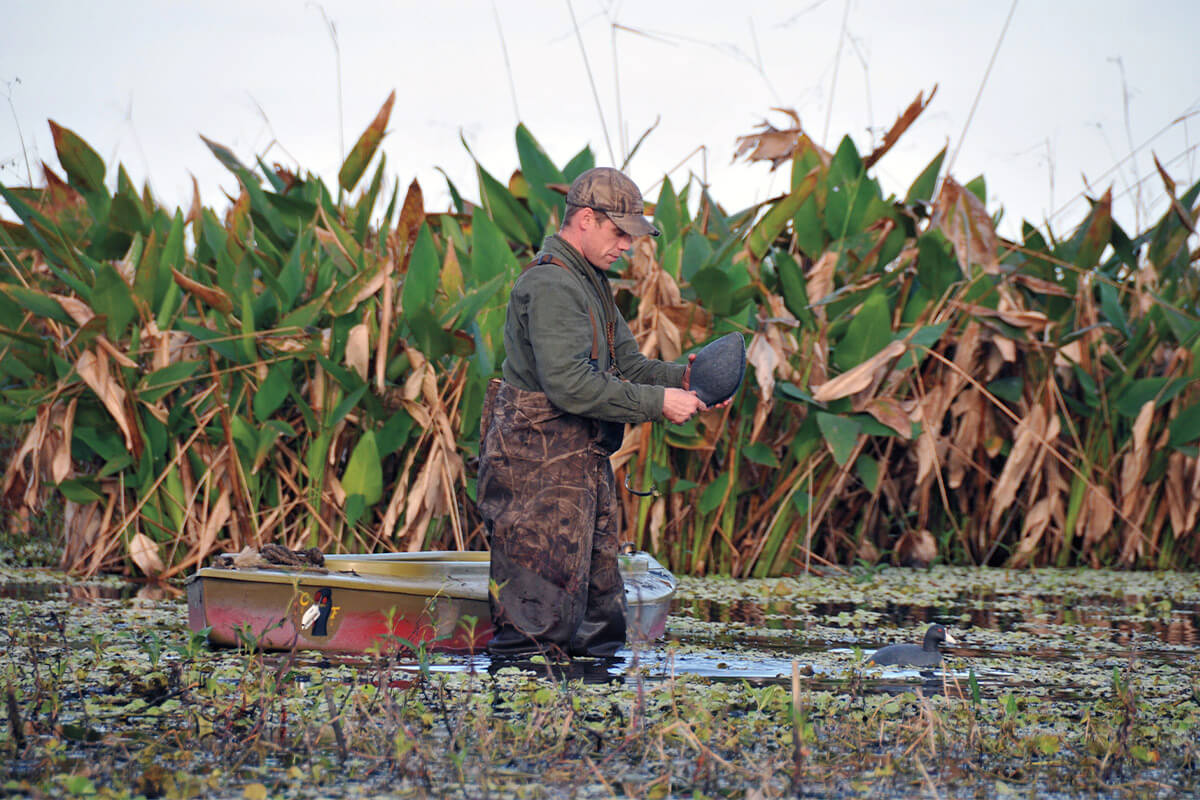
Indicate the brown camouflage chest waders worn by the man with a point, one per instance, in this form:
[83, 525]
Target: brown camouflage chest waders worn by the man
[548, 495]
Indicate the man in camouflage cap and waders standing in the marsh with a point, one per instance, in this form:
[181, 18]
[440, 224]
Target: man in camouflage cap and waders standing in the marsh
[573, 378]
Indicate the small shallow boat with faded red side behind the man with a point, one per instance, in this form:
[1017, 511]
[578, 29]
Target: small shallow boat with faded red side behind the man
[385, 603]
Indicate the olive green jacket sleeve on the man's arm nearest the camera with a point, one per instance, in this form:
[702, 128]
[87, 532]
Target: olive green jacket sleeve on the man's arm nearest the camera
[555, 311]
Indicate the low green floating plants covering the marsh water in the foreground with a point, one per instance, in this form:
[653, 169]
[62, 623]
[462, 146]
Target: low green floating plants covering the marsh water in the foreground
[112, 696]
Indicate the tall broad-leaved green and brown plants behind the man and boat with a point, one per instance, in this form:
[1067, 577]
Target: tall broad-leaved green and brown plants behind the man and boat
[308, 365]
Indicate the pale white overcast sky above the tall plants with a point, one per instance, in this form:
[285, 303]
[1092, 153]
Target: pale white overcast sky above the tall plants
[141, 81]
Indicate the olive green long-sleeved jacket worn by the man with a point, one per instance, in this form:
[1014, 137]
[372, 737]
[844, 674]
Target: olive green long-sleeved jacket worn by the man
[549, 344]
